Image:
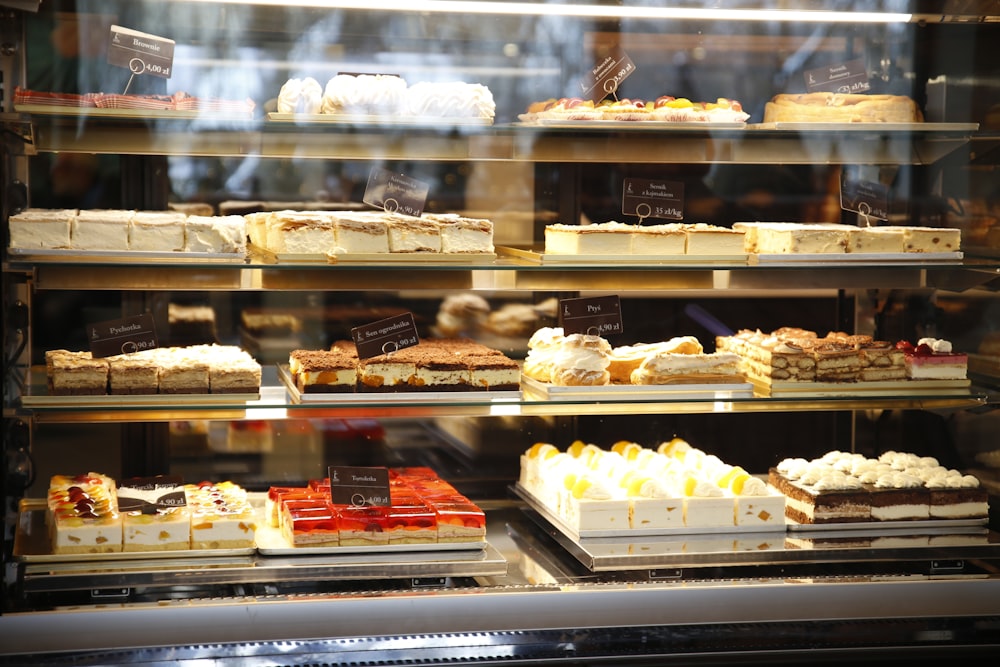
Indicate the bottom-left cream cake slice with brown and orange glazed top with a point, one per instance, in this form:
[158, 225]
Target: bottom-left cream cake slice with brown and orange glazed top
[82, 515]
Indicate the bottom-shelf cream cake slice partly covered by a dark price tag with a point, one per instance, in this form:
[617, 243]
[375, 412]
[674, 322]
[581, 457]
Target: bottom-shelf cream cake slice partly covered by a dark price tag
[154, 514]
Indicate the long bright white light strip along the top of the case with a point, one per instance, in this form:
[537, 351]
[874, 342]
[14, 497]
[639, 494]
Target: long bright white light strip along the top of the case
[583, 10]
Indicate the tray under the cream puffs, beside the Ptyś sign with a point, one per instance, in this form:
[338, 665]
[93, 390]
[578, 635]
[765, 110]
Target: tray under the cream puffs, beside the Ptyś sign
[669, 392]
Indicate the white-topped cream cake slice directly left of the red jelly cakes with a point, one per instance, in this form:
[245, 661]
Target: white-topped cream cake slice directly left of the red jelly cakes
[221, 516]
